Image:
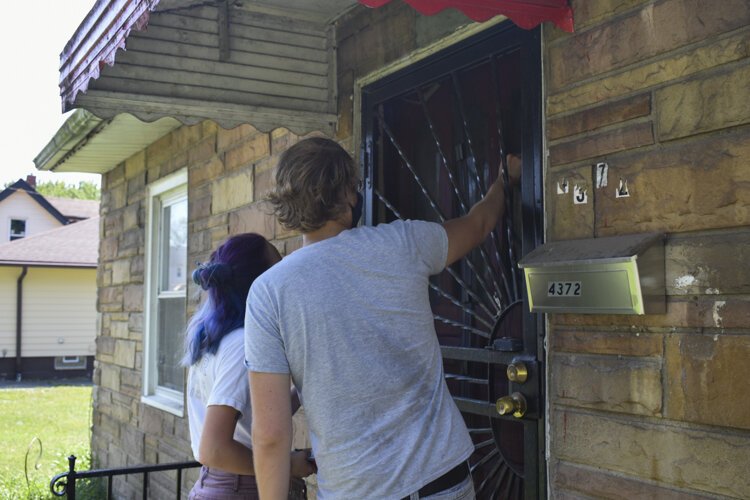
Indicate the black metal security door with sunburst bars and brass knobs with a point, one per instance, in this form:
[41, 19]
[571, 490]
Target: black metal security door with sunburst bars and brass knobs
[434, 136]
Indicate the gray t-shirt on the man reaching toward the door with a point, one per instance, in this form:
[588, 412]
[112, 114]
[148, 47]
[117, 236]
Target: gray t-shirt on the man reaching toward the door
[349, 317]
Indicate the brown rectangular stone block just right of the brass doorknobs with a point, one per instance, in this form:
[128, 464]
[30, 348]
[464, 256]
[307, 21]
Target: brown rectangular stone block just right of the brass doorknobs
[612, 383]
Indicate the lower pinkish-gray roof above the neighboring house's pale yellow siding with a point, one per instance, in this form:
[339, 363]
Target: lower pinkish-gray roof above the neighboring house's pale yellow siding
[73, 245]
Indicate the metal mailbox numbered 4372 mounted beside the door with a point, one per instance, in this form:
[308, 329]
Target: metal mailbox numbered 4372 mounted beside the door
[612, 275]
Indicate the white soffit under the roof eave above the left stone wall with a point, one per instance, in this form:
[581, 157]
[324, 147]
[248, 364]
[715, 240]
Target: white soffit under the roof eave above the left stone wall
[86, 143]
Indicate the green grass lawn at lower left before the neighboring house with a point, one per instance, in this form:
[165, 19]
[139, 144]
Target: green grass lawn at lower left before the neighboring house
[60, 416]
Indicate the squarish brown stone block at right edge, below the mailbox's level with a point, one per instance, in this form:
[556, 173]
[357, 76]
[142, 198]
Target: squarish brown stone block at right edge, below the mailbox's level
[707, 379]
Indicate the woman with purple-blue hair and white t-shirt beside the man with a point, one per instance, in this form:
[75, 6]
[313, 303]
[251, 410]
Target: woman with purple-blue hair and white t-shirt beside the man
[218, 393]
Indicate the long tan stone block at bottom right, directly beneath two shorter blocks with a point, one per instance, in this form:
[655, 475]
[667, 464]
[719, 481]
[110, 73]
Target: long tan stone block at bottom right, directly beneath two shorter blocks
[707, 460]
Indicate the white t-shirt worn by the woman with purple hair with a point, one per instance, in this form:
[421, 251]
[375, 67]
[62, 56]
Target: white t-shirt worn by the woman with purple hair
[220, 379]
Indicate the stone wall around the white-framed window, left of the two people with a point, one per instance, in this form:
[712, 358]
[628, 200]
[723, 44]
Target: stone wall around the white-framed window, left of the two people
[228, 170]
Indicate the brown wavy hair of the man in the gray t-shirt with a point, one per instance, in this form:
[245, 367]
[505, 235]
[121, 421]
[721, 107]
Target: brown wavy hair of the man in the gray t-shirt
[313, 178]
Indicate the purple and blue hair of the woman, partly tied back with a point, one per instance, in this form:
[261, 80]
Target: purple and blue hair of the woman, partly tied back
[226, 277]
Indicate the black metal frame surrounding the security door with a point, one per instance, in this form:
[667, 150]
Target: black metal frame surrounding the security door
[386, 84]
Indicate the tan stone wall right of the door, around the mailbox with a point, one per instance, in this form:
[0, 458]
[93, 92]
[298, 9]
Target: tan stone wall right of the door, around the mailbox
[654, 406]
